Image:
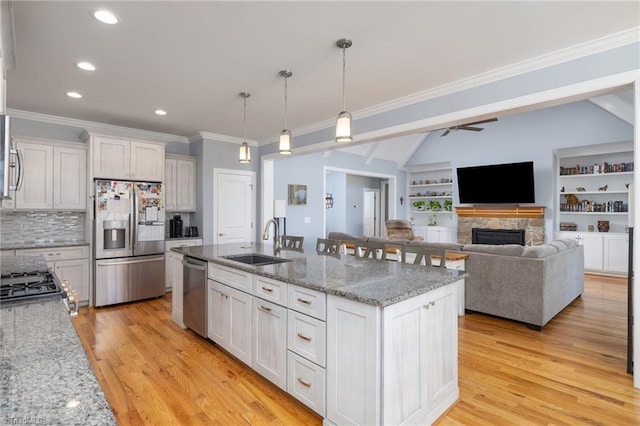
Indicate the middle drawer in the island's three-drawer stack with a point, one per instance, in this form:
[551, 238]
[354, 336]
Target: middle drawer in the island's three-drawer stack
[306, 336]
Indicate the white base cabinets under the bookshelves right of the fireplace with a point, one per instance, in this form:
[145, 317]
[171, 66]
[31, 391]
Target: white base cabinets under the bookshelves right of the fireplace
[605, 253]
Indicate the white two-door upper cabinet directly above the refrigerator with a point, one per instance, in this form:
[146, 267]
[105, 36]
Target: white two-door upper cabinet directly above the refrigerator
[116, 158]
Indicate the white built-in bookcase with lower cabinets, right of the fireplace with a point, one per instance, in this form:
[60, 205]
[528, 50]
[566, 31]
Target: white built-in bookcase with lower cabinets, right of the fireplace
[593, 202]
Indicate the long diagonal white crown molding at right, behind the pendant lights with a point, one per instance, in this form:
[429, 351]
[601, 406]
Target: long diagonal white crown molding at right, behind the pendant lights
[602, 44]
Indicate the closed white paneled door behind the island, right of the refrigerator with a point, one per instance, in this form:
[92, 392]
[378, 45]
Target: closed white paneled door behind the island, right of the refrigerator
[234, 199]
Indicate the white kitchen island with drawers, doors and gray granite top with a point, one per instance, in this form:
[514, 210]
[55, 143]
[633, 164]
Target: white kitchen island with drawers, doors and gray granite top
[359, 341]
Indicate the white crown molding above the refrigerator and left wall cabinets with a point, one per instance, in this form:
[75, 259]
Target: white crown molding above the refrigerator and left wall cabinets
[93, 127]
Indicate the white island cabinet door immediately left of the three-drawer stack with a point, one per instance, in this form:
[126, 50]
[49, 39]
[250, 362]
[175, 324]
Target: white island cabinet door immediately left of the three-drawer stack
[270, 341]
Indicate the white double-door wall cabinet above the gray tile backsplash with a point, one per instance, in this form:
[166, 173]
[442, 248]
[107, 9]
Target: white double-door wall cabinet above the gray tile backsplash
[54, 176]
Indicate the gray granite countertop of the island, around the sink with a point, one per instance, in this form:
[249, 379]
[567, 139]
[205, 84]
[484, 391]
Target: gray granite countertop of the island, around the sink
[374, 282]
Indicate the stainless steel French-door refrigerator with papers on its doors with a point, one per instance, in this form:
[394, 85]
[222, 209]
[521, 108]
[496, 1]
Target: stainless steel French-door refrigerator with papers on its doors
[129, 222]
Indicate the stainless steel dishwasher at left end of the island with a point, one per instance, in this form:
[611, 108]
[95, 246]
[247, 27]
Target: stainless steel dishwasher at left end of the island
[194, 301]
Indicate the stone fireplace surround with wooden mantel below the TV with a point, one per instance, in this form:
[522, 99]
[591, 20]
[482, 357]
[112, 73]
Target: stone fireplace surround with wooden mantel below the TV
[530, 219]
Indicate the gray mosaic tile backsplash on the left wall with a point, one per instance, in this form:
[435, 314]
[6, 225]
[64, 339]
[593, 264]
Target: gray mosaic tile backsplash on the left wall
[41, 226]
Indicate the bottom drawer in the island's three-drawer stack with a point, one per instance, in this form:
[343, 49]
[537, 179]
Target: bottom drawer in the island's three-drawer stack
[306, 382]
